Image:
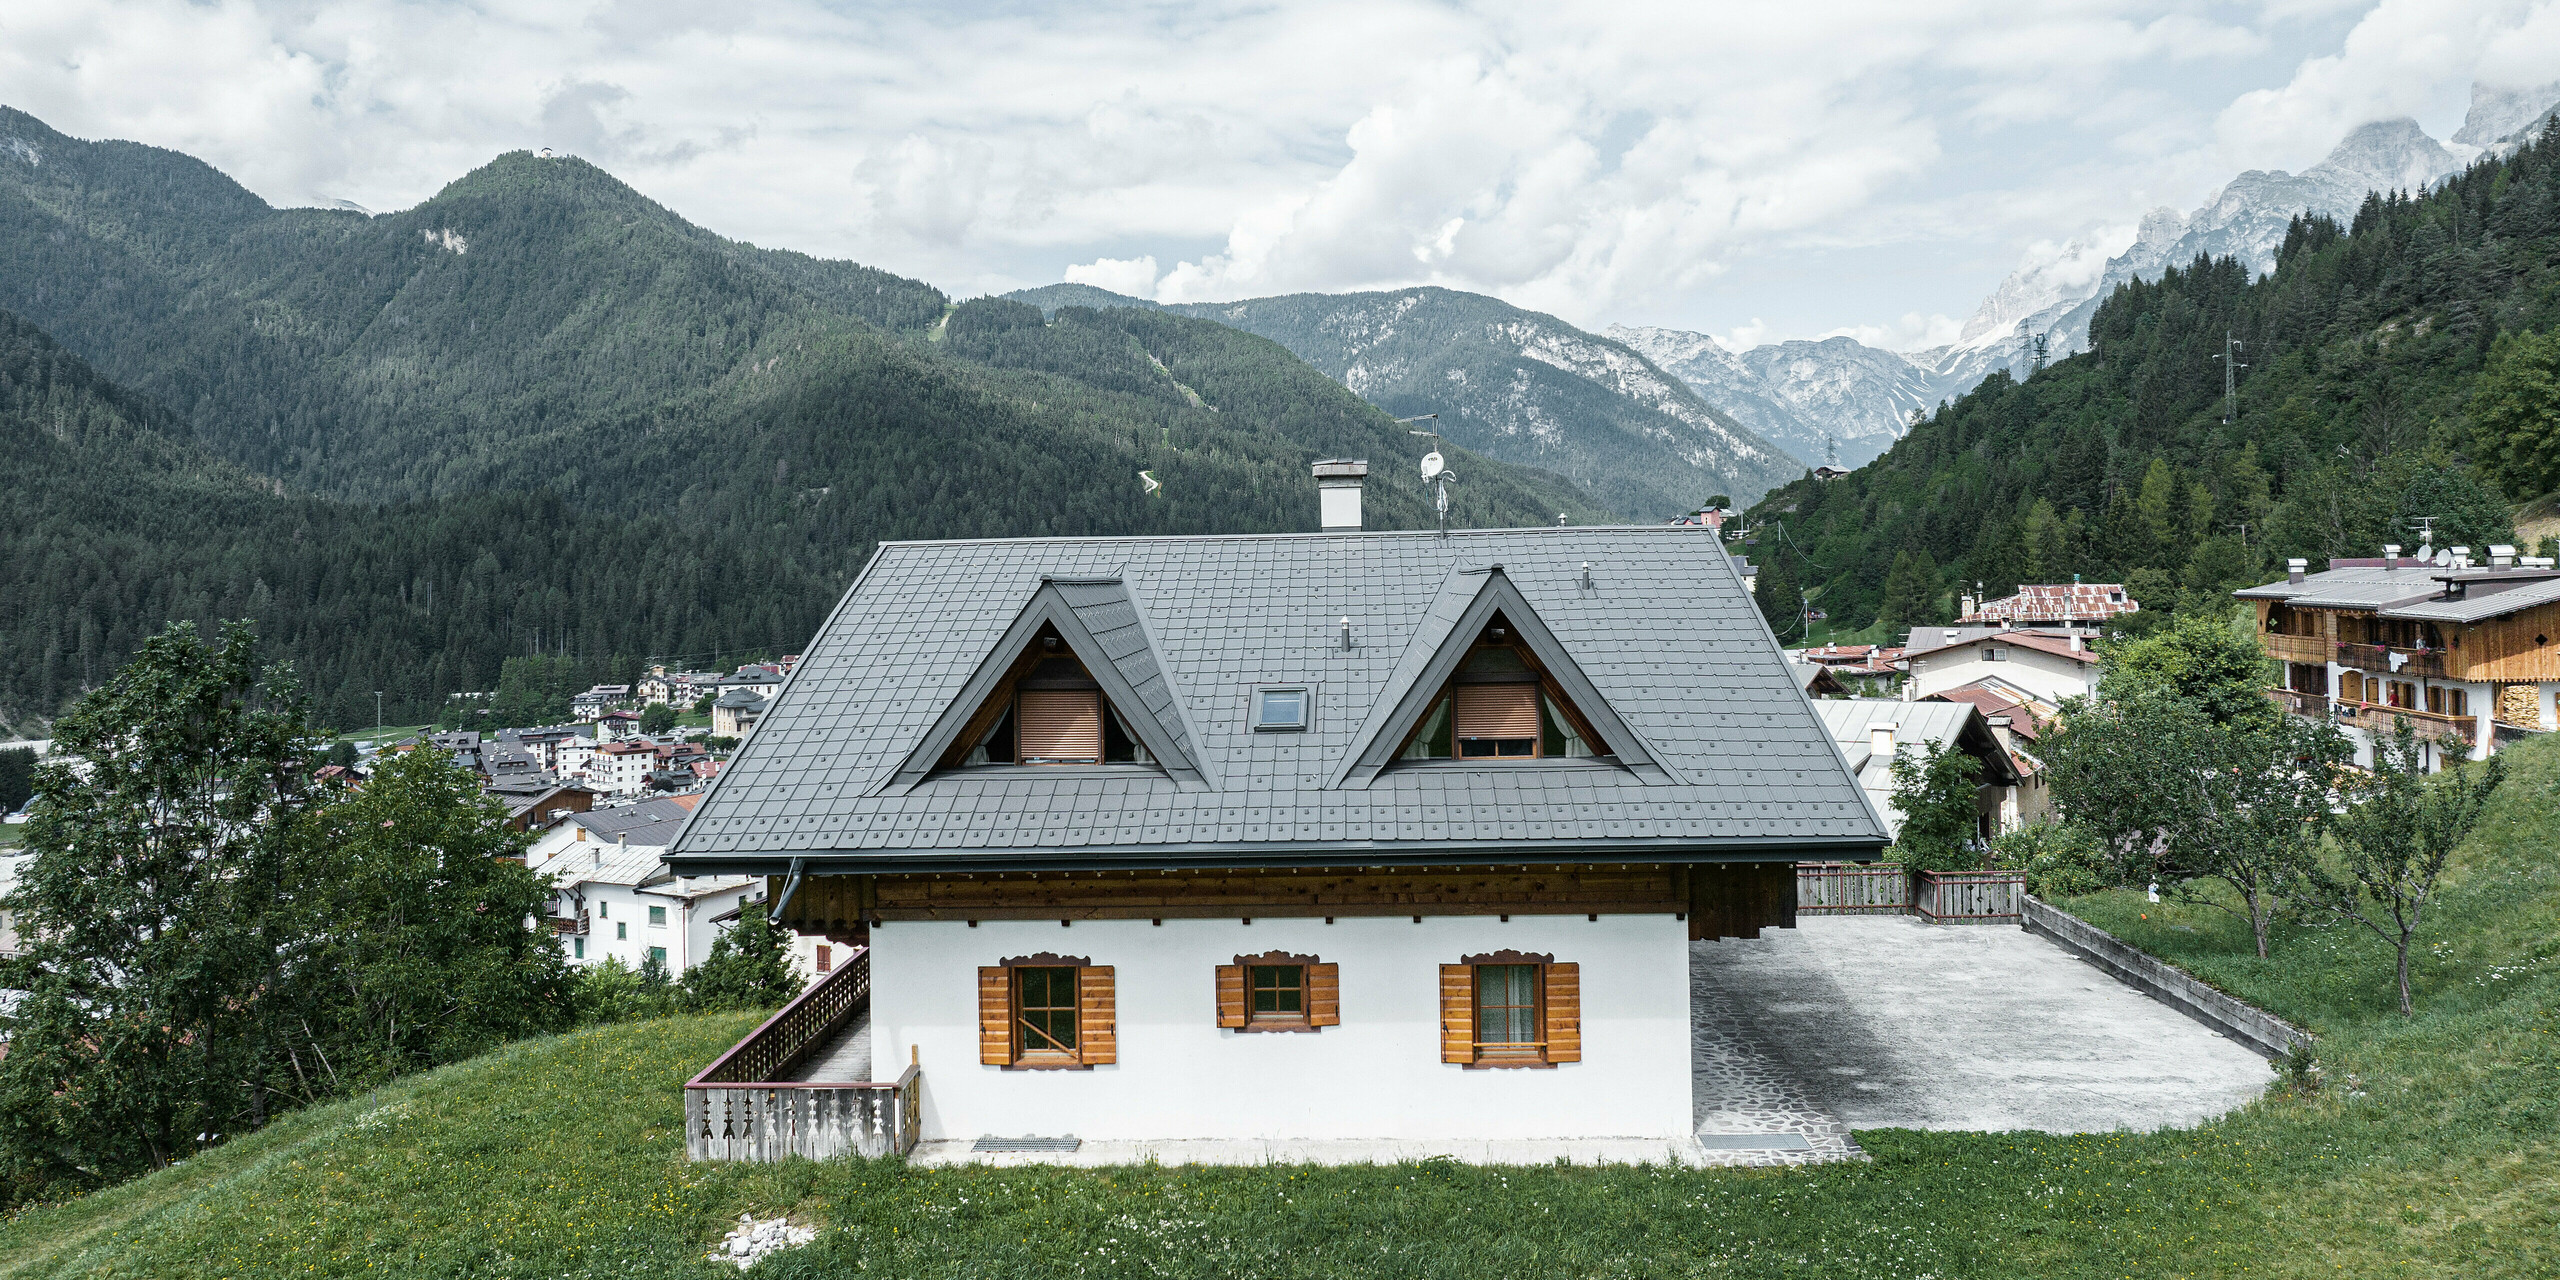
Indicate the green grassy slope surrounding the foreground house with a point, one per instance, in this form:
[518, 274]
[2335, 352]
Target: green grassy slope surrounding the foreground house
[562, 1158]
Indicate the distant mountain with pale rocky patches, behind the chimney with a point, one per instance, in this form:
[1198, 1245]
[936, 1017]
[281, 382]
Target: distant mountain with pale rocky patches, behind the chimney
[1512, 385]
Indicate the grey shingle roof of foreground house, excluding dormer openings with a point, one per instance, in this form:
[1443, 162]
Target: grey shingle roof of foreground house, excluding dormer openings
[1665, 634]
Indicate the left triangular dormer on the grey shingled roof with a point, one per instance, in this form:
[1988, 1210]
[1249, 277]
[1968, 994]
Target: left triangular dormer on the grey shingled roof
[1071, 680]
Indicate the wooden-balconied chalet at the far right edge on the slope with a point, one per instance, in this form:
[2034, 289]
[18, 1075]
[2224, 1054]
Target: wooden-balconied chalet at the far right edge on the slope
[2461, 652]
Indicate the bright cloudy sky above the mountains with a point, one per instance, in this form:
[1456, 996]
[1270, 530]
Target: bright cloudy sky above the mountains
[1750, 170]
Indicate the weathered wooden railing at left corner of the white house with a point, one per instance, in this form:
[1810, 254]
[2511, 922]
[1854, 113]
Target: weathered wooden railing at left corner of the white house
[744, 1107]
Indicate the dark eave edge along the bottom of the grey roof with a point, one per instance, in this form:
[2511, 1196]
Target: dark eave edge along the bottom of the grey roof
[1253, 856]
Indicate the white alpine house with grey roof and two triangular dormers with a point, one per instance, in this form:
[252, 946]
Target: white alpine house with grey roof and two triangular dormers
[1343, 836]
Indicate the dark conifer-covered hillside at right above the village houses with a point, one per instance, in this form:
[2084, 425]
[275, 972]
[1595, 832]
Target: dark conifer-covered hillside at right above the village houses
[2395, 370]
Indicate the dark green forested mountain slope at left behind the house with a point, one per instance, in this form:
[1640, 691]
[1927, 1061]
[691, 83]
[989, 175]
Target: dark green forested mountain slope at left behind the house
[549, 406]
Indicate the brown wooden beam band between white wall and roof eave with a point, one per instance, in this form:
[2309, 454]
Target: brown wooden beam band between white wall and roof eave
[1210, 895]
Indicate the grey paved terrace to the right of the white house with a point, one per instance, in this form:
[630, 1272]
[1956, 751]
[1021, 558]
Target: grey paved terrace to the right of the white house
[1885, 1023]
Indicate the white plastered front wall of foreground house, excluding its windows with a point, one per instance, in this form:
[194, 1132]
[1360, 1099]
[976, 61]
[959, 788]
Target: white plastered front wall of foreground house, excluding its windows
[1379, 1076]
